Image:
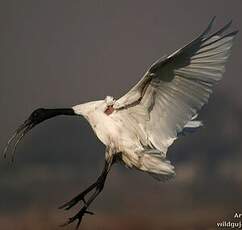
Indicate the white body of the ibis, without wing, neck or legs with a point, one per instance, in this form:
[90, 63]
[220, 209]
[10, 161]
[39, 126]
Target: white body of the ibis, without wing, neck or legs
[121, 134]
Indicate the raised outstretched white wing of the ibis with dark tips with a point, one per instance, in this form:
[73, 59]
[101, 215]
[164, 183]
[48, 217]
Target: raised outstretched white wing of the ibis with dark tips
[175, 88]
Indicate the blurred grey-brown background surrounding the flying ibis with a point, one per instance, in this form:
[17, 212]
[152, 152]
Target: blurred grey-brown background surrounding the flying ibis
[60, 53]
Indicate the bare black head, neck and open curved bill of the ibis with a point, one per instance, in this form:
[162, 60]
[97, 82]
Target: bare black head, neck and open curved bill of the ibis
[36, 117]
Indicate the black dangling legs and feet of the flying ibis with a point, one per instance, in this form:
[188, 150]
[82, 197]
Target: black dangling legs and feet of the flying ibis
[98, 186]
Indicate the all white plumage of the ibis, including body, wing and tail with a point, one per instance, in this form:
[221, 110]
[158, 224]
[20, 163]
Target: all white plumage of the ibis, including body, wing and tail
[147, 119]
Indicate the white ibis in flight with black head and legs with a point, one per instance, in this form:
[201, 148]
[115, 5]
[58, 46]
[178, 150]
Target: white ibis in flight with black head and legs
[138, 128]
